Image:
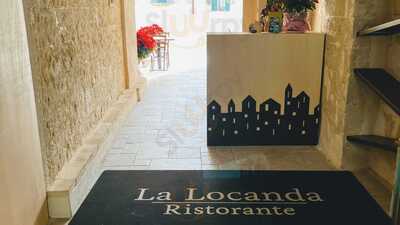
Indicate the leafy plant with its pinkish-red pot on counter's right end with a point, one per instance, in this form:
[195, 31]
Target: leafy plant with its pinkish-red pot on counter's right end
[296, 14]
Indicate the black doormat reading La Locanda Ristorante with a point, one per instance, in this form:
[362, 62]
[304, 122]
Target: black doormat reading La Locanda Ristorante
[229, 198]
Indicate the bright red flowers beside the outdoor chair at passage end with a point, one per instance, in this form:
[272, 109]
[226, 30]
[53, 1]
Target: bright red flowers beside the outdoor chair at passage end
[145, 40]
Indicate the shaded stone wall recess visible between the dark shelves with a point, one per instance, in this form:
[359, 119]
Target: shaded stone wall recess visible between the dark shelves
[366, 113]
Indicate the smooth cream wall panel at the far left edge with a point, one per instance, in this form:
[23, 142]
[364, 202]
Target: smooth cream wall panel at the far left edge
[22, 188]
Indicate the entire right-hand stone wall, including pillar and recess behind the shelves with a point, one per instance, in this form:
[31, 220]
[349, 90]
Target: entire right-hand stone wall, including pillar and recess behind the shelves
[349, 106]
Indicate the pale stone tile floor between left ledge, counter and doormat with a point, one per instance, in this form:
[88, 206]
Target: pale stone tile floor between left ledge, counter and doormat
[167, 131]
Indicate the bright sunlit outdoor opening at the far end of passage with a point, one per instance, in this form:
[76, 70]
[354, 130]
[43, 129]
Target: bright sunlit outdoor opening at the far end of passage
[188, 22]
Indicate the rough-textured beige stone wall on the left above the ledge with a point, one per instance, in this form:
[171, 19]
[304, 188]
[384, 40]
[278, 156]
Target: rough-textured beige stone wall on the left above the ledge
[76, 51]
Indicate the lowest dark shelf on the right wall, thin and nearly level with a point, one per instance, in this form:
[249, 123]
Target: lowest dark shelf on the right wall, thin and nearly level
[388, 144]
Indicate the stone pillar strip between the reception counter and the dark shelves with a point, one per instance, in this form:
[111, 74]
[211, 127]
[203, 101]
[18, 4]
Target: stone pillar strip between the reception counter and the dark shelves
[337, 23]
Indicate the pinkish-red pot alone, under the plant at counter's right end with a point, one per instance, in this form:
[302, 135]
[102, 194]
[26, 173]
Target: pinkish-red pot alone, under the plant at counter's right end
[297, 22]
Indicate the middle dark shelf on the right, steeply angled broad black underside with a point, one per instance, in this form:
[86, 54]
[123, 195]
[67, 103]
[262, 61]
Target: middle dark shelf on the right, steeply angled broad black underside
[384, 84]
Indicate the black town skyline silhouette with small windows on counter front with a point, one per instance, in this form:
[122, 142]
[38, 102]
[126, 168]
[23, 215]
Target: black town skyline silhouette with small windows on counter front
[267, 126]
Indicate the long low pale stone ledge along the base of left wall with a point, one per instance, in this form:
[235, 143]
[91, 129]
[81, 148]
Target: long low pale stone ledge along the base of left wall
[78, 176]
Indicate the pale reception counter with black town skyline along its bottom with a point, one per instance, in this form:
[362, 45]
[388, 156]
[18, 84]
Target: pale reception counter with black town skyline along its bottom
[264, 89]
